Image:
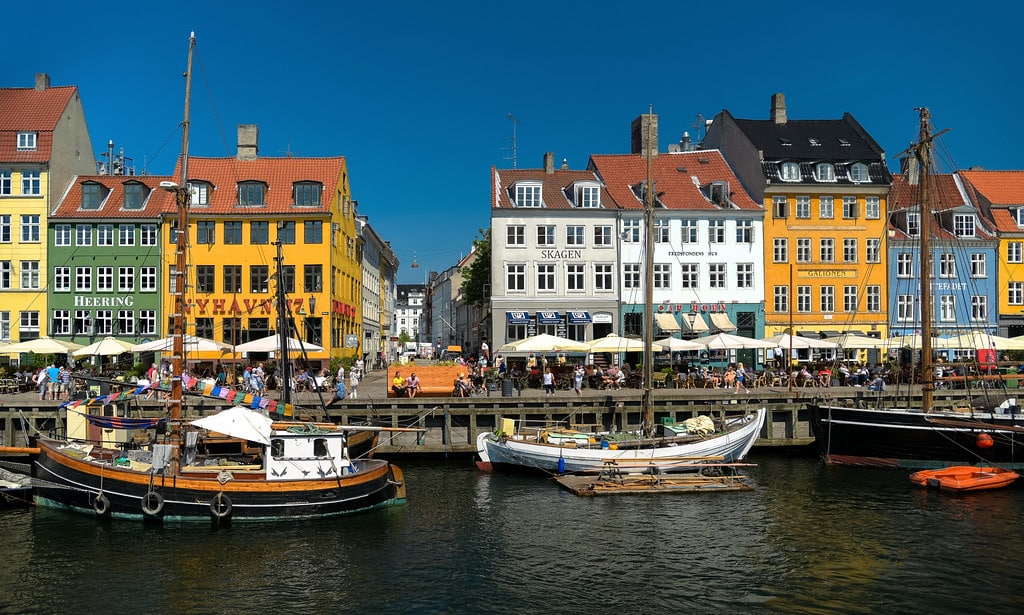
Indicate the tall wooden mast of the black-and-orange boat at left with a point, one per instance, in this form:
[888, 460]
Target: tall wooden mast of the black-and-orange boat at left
[182, 197]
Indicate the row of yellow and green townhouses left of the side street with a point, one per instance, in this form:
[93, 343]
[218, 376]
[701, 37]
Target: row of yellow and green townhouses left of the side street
[86, 256]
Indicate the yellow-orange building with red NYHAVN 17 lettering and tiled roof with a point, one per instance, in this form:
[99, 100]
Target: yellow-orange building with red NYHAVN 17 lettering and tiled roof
[247, 210]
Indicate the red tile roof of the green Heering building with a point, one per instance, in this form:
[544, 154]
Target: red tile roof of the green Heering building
[156, 203]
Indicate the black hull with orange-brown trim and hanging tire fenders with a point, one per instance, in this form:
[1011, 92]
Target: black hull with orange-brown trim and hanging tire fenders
[71, 484]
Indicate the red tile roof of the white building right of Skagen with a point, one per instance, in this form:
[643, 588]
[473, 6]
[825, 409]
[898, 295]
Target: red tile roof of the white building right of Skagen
[681, 180]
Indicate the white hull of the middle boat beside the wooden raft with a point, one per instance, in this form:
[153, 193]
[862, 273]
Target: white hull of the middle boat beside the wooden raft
[499, 453]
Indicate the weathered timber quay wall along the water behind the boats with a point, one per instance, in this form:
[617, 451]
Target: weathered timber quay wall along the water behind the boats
[451, 424]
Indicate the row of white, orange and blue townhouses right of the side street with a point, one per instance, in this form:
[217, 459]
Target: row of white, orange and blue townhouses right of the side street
[762, 228]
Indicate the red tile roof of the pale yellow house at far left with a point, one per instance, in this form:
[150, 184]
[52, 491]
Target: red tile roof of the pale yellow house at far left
[30, 110]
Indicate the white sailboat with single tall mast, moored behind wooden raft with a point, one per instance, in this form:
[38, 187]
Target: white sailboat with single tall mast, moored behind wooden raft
[662, 449]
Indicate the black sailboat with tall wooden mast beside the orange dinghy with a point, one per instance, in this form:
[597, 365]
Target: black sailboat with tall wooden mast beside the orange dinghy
[926, 436]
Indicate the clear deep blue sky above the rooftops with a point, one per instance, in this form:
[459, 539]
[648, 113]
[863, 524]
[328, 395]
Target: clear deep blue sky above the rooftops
[417, 96]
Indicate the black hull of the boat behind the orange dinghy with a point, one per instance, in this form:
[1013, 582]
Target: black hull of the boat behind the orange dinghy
[912, 440]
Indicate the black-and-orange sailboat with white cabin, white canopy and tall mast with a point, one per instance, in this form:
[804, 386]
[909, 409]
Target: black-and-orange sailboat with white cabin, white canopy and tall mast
[276, 470]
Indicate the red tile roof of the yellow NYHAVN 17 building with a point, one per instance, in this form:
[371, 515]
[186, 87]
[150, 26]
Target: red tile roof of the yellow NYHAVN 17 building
[278, 173]
